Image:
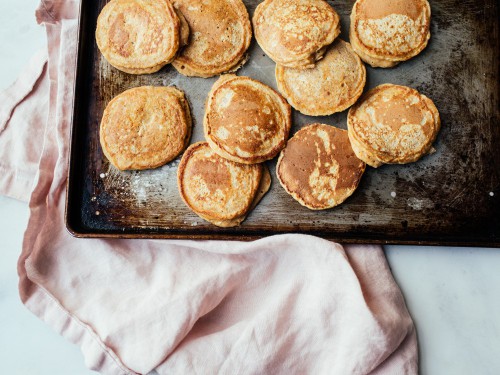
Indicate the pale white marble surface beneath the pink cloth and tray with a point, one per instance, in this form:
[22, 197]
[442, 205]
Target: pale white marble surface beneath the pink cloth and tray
[453, 293]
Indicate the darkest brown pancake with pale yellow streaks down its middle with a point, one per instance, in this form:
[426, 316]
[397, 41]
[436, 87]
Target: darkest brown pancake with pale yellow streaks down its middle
[318, 167]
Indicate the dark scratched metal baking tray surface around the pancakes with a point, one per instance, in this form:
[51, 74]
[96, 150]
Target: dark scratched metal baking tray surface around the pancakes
[450, 197]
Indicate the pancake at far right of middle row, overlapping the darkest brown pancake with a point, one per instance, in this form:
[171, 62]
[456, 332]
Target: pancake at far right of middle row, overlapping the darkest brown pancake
[392, 124]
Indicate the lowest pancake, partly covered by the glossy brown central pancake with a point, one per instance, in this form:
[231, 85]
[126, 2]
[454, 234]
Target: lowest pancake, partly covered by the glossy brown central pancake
[219, 190]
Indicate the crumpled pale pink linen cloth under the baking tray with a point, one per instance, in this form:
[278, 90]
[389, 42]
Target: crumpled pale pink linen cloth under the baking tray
[288, 304]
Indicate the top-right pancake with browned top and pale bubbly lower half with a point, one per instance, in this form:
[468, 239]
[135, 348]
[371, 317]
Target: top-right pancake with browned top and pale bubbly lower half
[384, 33]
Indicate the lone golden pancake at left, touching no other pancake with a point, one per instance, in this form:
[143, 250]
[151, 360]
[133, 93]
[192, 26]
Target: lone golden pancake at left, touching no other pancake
[145, 127]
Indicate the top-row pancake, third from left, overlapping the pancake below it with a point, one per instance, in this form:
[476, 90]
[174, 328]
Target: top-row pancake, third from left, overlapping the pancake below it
[294, 33]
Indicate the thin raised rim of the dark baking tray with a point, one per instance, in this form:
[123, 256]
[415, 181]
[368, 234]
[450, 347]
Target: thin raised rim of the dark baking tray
[479, 242]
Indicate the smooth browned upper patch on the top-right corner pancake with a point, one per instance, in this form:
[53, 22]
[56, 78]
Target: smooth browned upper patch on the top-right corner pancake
[376, 9]
